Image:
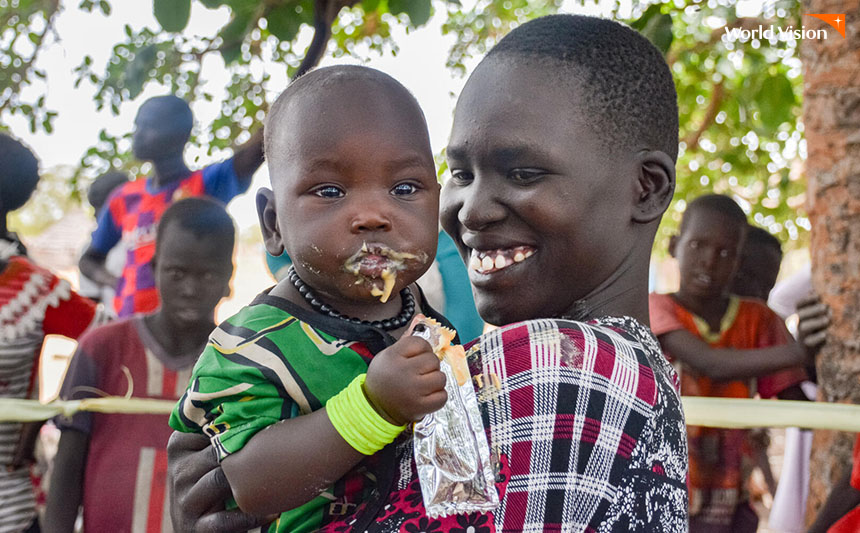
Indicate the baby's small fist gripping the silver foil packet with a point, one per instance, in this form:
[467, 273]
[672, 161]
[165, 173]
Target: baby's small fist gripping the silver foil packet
[404, 382]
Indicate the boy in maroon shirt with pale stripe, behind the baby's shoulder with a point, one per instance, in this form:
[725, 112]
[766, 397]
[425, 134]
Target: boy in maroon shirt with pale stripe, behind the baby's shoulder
[115, 464]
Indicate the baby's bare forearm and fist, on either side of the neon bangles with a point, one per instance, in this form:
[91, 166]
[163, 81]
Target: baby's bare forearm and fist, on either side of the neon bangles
[292, 461]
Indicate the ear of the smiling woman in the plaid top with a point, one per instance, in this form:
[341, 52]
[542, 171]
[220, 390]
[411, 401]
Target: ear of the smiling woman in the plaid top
[654, 187]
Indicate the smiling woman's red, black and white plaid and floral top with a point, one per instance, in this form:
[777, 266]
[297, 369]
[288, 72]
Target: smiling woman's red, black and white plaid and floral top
[586, 431]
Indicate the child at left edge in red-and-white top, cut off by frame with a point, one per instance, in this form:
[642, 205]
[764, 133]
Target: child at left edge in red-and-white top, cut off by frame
[33, 303]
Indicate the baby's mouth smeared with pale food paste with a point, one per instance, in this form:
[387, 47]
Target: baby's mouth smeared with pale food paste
[378, 264]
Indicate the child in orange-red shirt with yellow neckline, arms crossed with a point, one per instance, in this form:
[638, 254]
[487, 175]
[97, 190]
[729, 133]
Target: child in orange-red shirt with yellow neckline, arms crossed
[704, 328]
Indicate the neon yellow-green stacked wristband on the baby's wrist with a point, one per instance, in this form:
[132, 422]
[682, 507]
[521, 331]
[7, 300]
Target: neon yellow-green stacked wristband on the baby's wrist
[357, 421]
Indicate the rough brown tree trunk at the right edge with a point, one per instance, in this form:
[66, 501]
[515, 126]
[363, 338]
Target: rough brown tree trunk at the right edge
[831, 115]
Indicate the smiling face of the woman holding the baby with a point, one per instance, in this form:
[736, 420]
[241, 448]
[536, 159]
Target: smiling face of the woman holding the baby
[534, 202]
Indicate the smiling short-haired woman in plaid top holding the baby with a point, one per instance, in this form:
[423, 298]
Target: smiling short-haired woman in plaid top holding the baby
[555, 218]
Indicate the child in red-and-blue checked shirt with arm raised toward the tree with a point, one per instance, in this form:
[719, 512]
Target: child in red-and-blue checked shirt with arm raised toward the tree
[161, 131]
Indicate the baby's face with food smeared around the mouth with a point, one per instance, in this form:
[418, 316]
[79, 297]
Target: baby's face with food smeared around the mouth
[355, 192]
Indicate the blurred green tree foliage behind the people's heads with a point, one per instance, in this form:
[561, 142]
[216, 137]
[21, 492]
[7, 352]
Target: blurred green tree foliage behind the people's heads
[739, 102]
